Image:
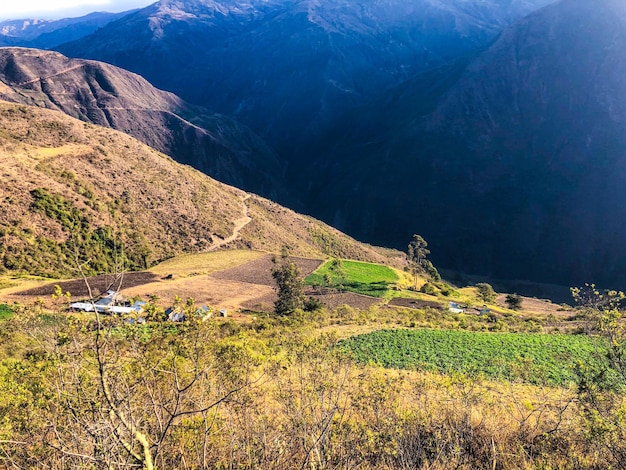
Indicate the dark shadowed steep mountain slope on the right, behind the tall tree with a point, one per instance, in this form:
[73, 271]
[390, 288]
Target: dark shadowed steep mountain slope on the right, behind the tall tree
[516, 168]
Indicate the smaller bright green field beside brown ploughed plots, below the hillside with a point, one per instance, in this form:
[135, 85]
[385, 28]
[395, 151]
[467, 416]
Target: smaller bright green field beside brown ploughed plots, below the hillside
[354, 276]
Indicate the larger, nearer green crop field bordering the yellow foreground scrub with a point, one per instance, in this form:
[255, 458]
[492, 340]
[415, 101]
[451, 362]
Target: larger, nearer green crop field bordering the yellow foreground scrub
[534, 358]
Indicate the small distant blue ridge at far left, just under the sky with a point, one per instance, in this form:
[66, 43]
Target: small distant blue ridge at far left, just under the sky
[45, 34]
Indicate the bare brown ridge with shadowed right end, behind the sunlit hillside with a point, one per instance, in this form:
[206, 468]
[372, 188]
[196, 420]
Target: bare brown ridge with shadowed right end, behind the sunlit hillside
[106, 95]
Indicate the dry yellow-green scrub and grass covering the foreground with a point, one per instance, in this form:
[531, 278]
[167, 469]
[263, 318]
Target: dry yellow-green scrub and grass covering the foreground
[266, 393]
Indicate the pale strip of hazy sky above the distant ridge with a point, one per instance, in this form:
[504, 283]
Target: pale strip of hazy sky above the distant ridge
[55, 9]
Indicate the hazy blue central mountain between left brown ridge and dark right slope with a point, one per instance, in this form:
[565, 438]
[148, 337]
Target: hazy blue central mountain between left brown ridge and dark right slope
[287, 67]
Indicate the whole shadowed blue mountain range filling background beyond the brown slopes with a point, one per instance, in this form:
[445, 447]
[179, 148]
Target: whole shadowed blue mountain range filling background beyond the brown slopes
[494, 129]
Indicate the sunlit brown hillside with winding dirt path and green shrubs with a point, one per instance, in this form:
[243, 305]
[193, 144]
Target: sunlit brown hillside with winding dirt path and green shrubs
[75, 193]
